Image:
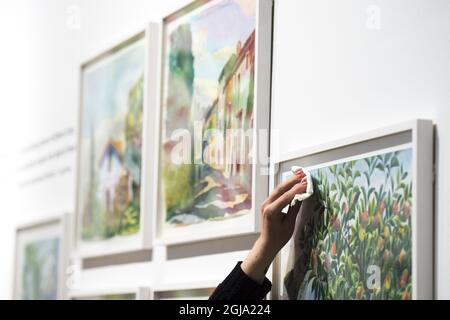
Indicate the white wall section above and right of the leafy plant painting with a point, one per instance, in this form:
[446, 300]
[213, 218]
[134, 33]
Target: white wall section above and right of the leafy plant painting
[335, 77]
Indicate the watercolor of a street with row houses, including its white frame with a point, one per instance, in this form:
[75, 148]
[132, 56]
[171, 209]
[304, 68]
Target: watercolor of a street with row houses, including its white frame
[215, 102]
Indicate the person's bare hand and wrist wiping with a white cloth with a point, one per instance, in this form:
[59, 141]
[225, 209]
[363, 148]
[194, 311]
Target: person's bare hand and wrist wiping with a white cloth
[277, 227]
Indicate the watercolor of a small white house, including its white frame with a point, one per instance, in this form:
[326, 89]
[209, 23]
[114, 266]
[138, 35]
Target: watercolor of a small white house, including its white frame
[115, 135]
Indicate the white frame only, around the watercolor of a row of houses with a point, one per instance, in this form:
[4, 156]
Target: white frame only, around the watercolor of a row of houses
[260, 171]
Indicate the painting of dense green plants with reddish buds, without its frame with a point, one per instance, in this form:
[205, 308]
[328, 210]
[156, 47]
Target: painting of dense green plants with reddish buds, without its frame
[360, 246]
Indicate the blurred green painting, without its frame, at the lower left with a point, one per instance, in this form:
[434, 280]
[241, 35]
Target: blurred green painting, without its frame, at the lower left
[39, 274]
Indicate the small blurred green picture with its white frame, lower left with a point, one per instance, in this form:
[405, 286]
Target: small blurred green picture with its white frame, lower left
[41, 259]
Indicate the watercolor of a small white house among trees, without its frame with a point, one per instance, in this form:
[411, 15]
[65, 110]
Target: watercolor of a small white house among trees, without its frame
[111, 144]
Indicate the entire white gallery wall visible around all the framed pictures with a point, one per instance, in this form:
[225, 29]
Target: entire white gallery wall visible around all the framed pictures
[340, 67]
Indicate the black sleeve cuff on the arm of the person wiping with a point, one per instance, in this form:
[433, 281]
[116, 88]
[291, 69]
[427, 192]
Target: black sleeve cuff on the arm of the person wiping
[238, 286]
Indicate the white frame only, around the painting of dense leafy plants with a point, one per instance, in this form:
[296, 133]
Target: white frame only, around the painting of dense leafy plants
[419, 135]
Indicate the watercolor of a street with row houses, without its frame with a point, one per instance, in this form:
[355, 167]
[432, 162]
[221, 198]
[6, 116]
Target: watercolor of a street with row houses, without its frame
[208, 85]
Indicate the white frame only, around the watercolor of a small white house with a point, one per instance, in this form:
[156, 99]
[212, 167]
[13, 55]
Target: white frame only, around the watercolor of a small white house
[143, 240]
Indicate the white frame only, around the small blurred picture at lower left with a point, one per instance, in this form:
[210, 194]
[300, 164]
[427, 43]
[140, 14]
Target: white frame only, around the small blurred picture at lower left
[54, 227]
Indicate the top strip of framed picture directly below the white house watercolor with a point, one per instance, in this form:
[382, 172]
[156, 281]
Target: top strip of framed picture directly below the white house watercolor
[140, 293]
